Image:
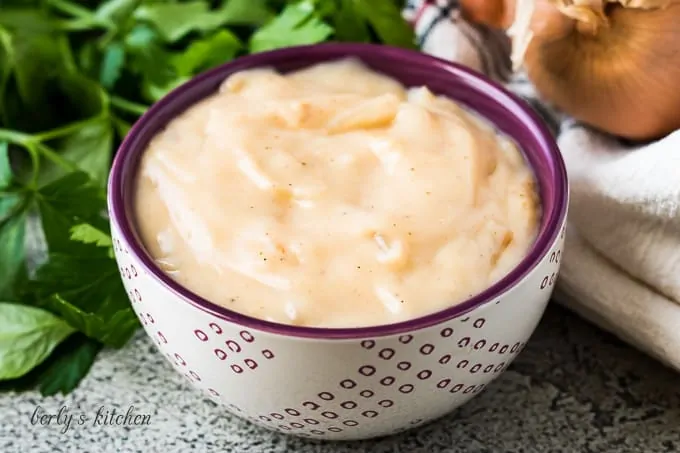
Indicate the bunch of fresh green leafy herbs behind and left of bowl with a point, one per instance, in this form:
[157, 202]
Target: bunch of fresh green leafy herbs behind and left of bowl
[74, 76]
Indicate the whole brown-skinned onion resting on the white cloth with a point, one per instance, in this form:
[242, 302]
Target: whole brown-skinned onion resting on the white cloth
[612, 65]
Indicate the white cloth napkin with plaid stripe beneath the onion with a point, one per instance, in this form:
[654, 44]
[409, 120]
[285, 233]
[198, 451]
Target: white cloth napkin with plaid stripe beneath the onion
[621, 266]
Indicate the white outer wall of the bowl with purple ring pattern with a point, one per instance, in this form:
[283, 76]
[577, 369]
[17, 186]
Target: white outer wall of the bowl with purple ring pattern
[340, 389]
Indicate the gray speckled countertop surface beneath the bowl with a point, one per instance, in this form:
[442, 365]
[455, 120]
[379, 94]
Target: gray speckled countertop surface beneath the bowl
[573, 389]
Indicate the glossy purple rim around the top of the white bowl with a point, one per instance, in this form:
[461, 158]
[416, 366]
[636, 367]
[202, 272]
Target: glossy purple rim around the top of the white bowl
[540, 249]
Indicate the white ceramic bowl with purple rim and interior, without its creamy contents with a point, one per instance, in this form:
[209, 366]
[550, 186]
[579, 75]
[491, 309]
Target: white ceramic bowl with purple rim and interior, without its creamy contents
[347, 383]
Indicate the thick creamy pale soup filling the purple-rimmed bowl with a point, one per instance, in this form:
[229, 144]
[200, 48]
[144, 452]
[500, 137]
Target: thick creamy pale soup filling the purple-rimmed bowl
[333, 196]
